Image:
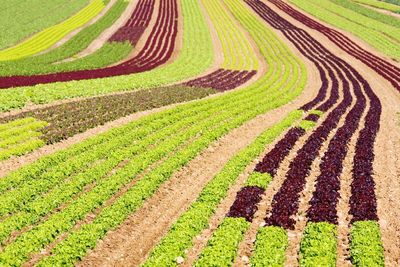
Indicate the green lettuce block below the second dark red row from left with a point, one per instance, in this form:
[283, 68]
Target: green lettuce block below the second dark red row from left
[270, 247]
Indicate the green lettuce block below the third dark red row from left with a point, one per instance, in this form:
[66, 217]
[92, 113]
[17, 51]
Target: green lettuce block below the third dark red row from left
[318, 246]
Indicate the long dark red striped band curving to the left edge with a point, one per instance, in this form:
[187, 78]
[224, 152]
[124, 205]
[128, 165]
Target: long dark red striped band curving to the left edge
[156, 51]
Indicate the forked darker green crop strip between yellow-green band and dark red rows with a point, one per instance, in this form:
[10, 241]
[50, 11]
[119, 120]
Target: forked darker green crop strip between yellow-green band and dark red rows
[44, 63]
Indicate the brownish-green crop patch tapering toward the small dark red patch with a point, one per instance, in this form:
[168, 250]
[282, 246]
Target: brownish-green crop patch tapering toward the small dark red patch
[68, 119]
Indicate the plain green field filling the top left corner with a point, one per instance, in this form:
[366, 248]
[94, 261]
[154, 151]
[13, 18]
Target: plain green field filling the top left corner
[20, 19]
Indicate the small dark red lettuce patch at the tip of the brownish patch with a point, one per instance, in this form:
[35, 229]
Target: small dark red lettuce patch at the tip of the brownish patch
[222, 79]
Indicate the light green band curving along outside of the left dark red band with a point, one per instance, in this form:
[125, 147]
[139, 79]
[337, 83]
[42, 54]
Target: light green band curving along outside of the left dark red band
[195, 56]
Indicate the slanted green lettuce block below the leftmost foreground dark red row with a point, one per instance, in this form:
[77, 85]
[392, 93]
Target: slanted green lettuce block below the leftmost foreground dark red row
[222, 247]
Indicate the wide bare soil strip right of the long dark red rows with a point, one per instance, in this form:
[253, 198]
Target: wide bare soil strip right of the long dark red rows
[387, 158]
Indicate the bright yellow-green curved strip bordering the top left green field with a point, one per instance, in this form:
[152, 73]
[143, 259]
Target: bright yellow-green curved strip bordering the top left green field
[48, 37]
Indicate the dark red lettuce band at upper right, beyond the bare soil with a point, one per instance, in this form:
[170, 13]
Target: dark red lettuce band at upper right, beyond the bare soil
[384, 68]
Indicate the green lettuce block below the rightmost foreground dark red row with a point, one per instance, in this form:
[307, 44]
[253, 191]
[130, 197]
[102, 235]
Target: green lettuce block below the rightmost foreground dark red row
[366, 247]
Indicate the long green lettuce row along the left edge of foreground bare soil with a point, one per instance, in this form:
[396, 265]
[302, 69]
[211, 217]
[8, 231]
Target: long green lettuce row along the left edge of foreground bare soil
[78, 242]
